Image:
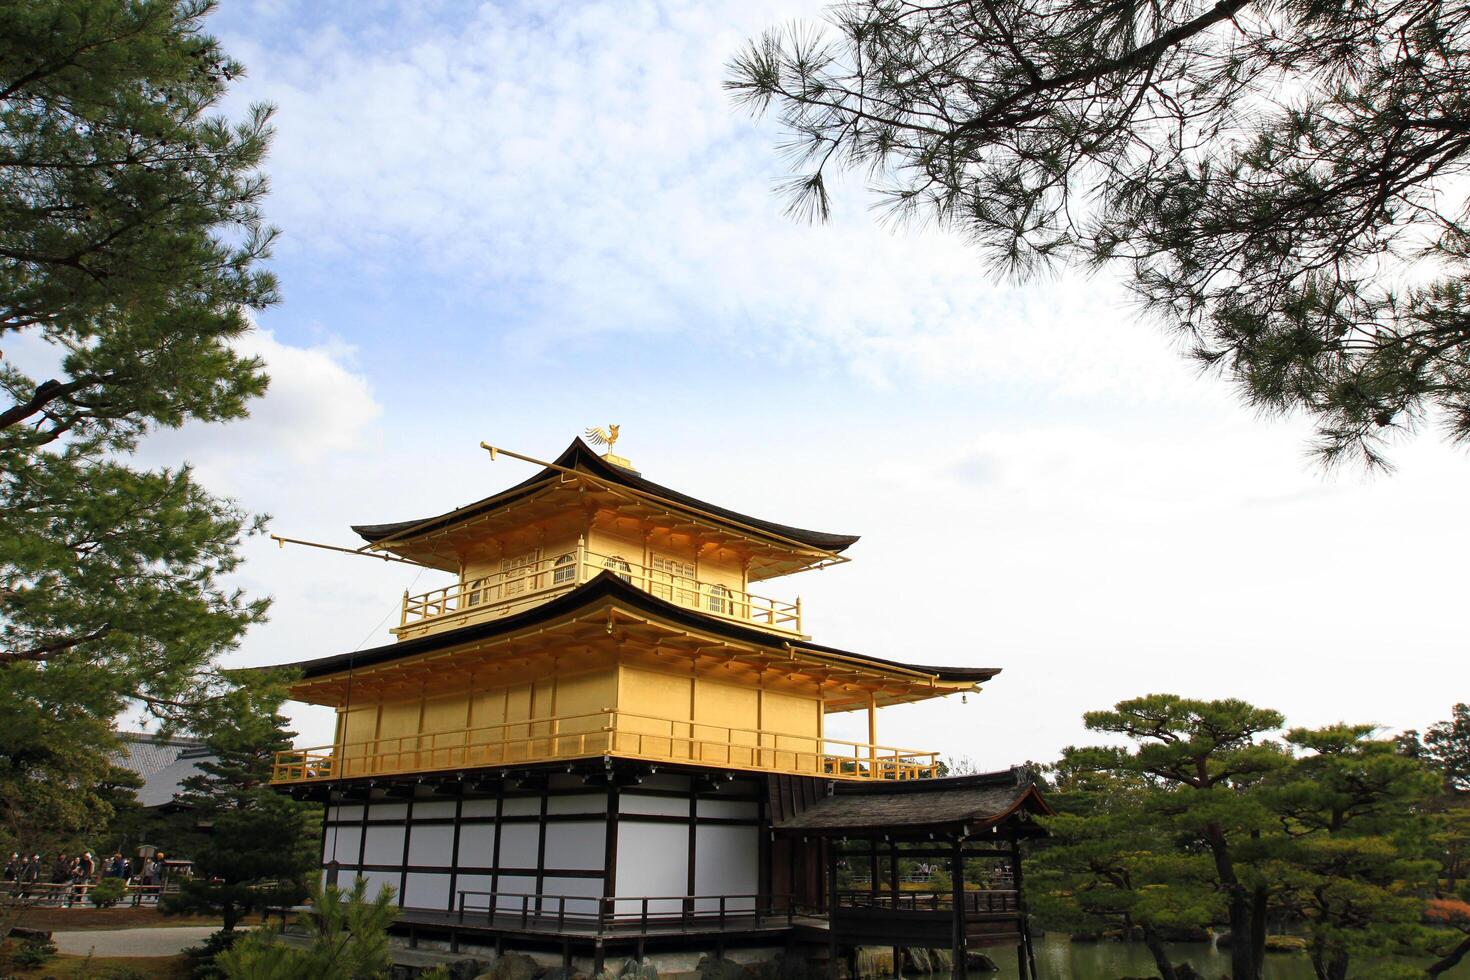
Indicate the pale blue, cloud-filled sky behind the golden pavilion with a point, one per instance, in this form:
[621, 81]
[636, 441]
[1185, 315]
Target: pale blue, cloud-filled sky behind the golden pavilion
[514, 221]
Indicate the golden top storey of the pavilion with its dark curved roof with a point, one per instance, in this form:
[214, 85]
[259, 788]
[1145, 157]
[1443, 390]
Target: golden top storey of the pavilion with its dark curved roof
[584, 515]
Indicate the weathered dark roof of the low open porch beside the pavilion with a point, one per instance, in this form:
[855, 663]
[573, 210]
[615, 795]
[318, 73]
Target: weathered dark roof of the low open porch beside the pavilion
[975, 801]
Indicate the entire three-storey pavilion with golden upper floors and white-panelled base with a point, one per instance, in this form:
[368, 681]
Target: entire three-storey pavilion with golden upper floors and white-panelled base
[599, 741]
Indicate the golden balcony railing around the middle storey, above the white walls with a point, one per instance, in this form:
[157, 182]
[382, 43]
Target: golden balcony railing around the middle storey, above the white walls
[609, 732]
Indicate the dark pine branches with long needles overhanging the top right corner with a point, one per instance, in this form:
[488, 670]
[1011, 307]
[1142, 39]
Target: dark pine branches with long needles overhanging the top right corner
[1278, 181]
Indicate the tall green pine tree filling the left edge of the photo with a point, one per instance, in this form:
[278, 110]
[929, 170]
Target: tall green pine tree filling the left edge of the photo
[130, 248]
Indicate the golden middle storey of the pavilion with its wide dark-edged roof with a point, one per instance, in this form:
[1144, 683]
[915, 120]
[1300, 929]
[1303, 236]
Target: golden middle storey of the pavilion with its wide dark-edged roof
[609, 671]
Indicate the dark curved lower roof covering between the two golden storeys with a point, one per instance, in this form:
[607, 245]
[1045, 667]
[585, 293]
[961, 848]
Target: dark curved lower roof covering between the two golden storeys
[606, 586]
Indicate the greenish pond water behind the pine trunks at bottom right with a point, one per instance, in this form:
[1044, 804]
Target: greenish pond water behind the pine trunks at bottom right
[1059, 959]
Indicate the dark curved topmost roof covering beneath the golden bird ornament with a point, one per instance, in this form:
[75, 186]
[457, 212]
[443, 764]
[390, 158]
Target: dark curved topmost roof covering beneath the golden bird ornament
[583, 456]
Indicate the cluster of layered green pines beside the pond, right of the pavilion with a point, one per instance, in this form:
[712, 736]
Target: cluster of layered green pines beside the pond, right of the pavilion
[1215, 816]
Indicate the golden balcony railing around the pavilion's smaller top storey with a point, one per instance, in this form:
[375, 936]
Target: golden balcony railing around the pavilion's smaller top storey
[536, 583]
